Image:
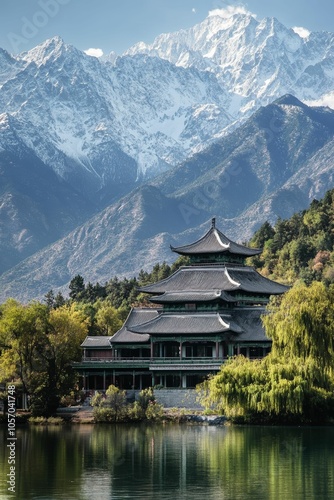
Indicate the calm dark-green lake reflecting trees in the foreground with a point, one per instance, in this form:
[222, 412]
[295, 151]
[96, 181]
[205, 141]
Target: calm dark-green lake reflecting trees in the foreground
[130, 461]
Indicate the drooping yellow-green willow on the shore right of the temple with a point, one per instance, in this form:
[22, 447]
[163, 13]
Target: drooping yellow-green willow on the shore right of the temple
[295, 382]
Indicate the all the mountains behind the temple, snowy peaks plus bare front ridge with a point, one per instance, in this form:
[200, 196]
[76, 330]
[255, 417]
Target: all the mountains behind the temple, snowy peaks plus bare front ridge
[185, 122]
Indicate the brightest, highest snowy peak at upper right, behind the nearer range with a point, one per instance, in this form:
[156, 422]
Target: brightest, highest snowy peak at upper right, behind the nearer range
[256, 61]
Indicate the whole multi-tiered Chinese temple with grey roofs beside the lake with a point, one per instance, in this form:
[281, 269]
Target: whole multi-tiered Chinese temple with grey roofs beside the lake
[206, 311]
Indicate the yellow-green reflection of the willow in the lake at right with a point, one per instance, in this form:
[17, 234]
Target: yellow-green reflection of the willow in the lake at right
[270, 463]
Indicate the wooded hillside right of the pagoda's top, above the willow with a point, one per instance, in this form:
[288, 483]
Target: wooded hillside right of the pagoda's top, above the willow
[299, 248]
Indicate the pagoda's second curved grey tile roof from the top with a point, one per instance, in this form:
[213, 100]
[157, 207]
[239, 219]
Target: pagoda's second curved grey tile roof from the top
[215, 279]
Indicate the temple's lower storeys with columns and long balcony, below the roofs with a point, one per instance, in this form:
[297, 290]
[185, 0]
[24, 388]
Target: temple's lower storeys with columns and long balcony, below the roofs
[181, 365]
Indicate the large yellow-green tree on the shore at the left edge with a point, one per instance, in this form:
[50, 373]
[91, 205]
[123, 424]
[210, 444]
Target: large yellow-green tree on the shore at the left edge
[38, 346]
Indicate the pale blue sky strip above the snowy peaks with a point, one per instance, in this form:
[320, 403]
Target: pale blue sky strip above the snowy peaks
[115, 25]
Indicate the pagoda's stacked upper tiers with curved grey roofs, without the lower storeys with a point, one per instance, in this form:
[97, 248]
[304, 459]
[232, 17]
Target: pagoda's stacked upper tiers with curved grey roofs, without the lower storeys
[207, 298]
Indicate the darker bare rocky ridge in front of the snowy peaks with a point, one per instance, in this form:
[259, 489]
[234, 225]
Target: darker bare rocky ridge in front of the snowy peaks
[271, 166]
